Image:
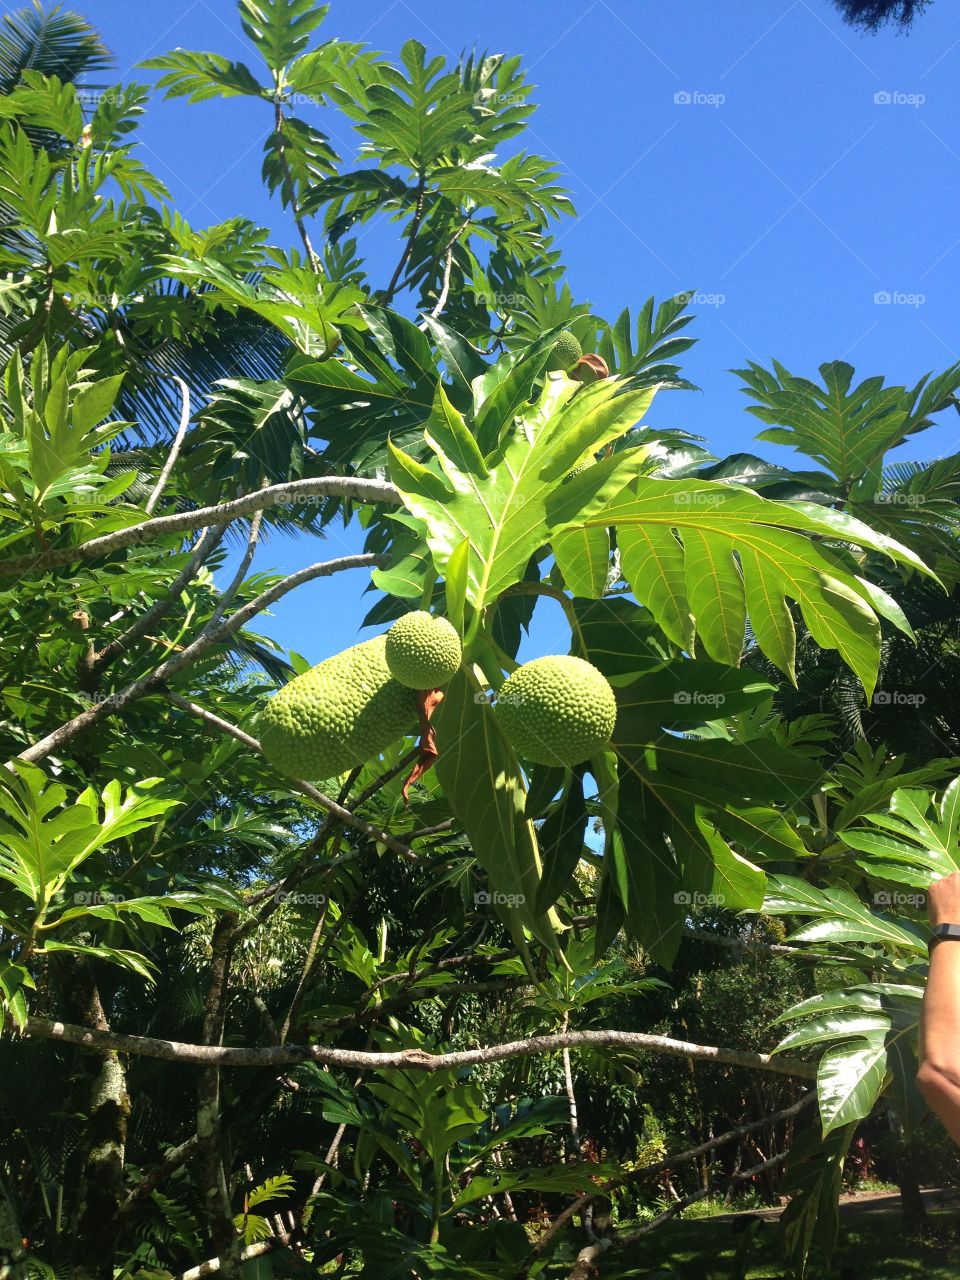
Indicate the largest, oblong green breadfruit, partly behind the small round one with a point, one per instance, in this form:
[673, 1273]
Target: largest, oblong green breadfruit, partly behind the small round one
[339, 715]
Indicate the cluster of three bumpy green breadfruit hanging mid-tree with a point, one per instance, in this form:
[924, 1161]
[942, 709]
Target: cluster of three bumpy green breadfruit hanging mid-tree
[350, 708]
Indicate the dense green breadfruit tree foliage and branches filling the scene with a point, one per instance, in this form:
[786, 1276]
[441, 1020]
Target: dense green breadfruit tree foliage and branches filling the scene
[399, 1021]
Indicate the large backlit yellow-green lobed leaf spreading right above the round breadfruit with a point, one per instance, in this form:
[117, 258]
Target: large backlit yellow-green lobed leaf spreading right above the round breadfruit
[678, 540]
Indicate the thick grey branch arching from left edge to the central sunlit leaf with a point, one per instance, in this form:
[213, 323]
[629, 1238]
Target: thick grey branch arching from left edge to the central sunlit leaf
[182, 522]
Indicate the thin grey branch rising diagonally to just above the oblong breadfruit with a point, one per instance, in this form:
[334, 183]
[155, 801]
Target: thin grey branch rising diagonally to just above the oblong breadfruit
[208, 639]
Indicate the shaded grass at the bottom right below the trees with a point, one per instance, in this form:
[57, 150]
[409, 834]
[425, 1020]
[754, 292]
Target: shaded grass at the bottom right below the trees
[871, 1247]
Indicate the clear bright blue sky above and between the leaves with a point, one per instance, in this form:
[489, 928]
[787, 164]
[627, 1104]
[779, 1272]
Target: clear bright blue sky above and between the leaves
[790, 170]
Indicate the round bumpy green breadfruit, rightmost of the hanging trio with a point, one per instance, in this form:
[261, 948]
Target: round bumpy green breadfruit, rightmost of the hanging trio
[557, 711]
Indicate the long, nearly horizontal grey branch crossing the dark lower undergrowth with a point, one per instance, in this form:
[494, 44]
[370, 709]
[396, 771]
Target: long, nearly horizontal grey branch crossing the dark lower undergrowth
[414, 1059]
